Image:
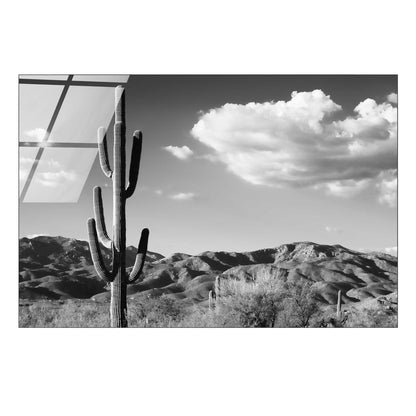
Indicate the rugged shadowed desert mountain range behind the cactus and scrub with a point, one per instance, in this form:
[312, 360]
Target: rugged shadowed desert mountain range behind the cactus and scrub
[61, 268]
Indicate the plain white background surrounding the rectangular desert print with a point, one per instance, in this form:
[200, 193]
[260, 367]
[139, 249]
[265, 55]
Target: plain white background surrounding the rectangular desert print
[200, 372]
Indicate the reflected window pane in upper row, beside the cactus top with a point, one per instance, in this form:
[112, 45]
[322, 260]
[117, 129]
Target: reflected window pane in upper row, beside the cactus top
[84, 110]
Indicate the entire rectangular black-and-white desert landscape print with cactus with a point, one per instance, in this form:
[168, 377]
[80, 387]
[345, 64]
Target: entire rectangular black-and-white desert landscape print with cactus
[259, 201]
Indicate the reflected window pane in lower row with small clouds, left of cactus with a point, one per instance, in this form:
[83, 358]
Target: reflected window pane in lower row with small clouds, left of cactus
[60, 175]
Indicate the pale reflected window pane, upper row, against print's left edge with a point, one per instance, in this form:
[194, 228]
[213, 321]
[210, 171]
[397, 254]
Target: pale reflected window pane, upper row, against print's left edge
[36, 106]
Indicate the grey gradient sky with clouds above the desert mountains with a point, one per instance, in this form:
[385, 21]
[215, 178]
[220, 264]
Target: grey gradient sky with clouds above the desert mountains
[231, 163]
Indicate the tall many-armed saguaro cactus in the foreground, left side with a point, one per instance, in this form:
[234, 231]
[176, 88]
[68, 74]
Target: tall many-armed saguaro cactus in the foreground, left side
[96, 226]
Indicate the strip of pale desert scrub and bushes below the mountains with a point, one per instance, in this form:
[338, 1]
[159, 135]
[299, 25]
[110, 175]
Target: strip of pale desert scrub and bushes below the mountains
[264, 303]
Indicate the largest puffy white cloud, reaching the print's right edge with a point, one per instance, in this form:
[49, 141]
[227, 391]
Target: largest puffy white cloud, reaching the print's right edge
[301, 143]
